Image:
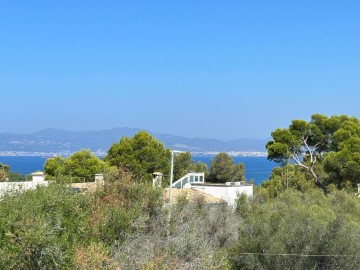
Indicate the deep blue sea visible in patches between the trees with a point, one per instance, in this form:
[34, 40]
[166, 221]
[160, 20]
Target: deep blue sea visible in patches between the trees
[256, 168]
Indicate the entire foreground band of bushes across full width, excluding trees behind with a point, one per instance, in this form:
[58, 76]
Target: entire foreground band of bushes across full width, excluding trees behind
[124, 225]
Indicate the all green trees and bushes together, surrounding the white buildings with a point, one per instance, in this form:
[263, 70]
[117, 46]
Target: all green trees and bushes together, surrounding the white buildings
[305, 216]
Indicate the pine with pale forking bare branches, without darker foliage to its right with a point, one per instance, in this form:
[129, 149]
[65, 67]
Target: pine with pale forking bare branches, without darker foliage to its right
[305, 143]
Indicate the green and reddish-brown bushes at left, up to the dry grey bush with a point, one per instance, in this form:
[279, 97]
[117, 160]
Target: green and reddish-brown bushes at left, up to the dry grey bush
[53, 228]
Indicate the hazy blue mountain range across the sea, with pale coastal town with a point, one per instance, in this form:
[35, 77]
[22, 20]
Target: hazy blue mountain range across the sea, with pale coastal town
[65, 142]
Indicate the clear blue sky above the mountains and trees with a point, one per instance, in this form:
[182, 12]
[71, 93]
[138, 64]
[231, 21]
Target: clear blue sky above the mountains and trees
[213, 69]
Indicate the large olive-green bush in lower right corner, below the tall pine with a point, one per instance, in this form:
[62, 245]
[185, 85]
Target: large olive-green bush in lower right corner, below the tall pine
[280, 233]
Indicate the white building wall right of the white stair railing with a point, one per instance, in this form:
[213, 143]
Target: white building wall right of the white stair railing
[227, 193]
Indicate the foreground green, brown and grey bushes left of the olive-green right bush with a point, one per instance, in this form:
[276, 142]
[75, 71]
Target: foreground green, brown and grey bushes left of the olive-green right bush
[53, 228]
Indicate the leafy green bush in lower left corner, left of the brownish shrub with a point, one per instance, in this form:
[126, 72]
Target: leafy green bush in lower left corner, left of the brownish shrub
[40, 228]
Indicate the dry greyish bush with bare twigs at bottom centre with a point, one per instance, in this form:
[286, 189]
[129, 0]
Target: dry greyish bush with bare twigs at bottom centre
[197, 239]
